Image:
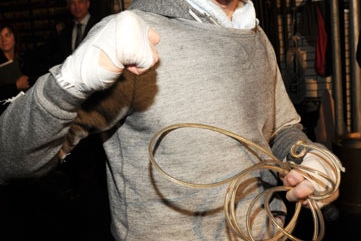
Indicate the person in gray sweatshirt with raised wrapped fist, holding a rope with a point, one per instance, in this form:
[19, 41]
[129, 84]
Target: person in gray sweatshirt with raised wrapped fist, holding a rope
[207, 69]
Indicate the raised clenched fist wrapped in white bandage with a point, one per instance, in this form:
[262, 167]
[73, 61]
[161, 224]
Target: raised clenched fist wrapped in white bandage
[117, 42]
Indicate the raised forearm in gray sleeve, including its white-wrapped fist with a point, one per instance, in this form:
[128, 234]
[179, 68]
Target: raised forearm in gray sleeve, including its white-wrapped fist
[33, 128]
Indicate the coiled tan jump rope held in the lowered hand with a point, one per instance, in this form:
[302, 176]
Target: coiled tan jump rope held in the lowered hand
[297, 151]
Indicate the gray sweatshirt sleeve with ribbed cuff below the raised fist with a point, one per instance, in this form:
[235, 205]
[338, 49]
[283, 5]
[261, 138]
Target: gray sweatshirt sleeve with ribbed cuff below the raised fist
[32, 129]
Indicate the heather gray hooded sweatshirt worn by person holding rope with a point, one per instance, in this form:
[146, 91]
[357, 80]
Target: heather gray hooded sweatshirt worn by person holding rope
[207, 74]
